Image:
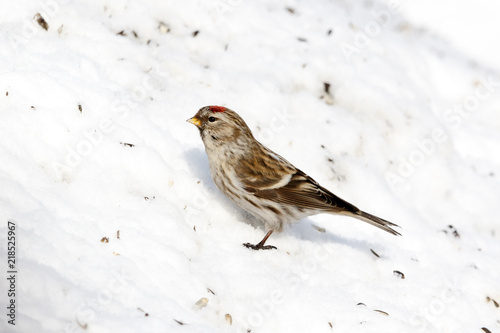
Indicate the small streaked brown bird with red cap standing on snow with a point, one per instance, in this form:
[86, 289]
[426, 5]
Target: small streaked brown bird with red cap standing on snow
[262, 182]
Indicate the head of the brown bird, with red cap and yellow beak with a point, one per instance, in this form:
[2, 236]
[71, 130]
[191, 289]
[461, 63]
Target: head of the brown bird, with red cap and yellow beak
[221, 126]
